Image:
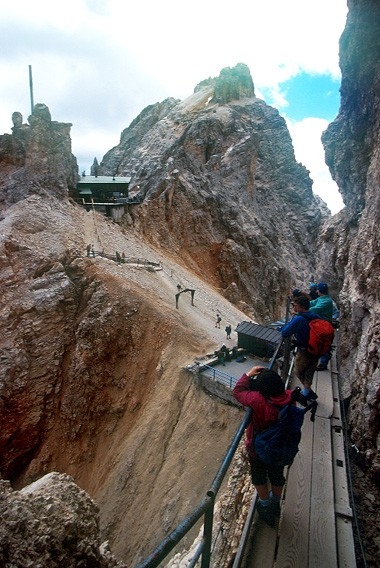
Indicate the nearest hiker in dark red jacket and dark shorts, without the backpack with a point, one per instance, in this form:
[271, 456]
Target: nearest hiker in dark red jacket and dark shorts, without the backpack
[263, 391]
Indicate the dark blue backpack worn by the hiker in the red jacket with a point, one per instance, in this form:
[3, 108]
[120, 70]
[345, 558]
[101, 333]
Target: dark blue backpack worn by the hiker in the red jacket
[278, 444]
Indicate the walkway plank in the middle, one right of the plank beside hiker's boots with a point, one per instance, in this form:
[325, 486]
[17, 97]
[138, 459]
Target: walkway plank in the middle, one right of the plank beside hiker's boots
[322, 544]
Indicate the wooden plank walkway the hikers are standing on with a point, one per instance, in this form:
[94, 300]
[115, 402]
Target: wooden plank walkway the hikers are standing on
[315, 527]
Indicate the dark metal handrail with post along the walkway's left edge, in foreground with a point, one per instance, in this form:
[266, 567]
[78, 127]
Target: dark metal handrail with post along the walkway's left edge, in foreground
[205, 507]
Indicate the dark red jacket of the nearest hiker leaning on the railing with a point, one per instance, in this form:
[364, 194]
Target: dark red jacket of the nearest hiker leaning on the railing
[263, 413]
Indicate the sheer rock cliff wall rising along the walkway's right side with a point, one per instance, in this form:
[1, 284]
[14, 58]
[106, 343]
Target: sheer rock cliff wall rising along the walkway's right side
[350, 253]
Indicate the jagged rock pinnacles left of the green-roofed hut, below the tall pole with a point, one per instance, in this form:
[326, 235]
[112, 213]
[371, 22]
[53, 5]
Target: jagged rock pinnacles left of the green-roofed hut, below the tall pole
[36, 158]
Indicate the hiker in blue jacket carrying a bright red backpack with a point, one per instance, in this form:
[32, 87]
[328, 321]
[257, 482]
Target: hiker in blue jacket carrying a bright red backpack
[309, 342]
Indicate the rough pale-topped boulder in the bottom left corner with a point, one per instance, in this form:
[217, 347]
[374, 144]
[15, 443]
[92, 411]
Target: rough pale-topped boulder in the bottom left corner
[51, 523]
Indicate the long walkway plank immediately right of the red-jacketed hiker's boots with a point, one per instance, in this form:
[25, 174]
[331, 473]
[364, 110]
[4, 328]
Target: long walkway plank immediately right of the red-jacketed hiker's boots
[293, 545]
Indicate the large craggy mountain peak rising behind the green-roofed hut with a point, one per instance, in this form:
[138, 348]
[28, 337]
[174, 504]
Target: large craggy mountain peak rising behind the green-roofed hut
[223, 191]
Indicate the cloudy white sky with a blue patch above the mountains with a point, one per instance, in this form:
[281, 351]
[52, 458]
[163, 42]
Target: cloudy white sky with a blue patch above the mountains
[99, 63]
